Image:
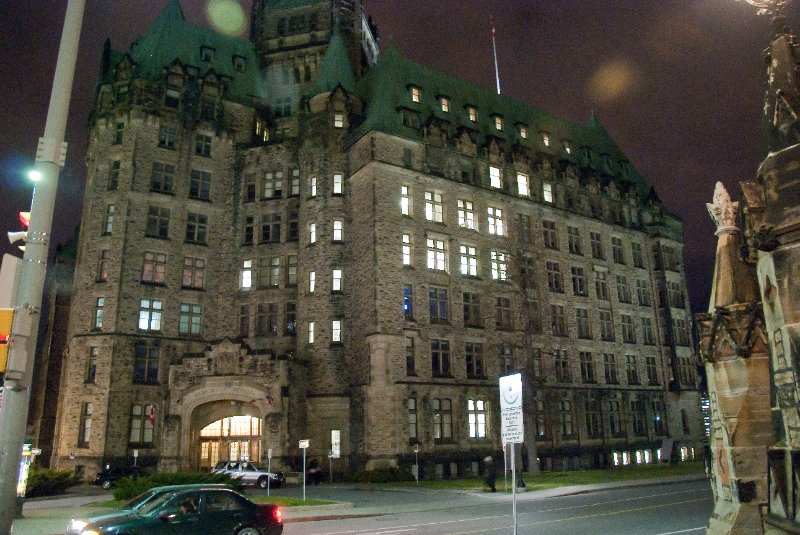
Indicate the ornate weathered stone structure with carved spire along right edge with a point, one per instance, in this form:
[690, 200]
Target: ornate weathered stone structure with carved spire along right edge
[750, 335]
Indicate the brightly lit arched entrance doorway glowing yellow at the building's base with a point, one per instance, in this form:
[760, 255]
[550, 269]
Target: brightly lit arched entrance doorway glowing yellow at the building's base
[230, 438]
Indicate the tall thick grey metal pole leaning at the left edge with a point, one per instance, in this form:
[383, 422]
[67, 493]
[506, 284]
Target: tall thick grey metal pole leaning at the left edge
[24, 332]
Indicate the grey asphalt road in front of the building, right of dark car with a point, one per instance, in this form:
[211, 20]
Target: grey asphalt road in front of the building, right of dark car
[653, 510]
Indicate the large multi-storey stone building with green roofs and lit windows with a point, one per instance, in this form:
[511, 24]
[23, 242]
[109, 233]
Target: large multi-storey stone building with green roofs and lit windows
[295, 235]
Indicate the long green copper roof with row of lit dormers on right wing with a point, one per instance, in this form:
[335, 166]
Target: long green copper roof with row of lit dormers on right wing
[386, 90]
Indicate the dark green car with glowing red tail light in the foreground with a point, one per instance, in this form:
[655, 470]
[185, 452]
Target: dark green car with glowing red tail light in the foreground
[192, 510]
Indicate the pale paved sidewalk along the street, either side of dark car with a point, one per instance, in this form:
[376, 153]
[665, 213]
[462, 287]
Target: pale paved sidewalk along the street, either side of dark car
[50, 516]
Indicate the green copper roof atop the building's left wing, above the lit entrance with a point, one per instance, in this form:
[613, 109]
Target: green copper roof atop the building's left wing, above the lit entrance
[171, 37]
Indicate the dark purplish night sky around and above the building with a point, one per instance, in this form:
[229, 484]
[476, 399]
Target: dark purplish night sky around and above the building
[678, 84]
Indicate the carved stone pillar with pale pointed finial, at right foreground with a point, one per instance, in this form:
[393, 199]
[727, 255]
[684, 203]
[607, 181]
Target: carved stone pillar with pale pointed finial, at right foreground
[734, 348]
